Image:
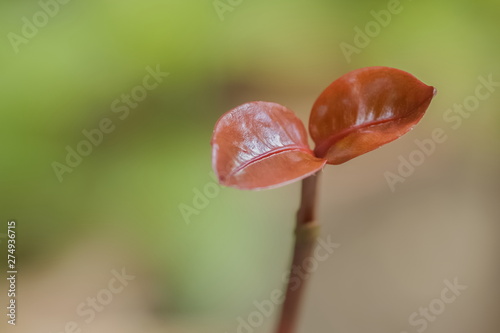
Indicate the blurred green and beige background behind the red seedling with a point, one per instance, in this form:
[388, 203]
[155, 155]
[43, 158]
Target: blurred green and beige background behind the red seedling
[120, 207]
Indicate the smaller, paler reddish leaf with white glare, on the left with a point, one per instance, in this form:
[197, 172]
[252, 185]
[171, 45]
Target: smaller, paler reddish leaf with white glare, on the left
[261, 145]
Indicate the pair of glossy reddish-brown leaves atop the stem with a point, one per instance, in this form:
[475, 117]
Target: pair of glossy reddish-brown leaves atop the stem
[262, 145]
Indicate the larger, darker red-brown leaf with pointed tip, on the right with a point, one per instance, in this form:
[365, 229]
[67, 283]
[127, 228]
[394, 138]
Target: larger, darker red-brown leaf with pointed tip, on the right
[365, 109]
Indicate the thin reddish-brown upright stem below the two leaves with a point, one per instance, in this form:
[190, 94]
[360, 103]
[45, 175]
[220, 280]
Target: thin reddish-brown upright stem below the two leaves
[305, 237]
